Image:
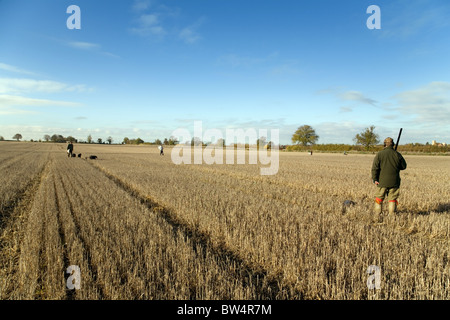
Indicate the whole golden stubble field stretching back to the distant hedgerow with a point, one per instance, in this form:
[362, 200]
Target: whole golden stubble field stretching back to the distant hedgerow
[140, 227]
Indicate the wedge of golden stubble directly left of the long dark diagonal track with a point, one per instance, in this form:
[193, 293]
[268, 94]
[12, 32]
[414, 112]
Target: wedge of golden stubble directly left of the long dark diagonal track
[113, 228]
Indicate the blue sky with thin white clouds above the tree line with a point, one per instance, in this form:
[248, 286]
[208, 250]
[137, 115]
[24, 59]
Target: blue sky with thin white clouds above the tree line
[146, 68]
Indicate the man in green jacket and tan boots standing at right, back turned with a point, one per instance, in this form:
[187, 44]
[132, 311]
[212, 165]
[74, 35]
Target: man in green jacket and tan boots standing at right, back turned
[386, 169]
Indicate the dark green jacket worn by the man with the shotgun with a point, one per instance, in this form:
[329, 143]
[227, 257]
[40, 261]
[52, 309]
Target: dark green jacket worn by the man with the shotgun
[386, 168]
